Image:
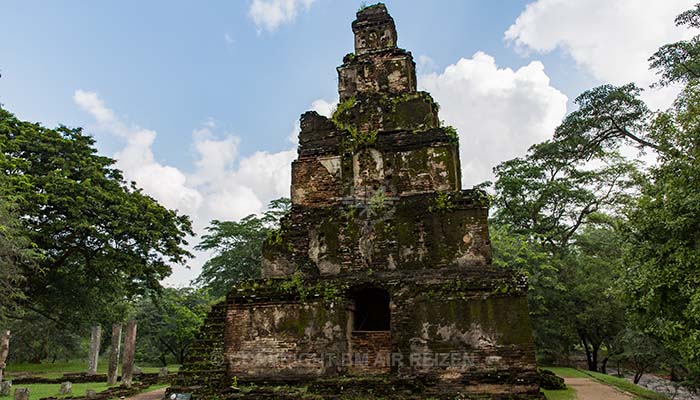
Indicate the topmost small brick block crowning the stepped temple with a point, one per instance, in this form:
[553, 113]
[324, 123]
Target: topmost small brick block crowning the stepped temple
[374, 29]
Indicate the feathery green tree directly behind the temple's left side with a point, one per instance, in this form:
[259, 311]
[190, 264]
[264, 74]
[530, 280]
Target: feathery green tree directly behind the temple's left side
[237, 248]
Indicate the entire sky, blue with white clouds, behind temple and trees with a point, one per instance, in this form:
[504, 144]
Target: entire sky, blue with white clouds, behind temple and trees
[199, 102]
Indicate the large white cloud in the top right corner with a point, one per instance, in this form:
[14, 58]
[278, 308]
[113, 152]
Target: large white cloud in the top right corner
[611, 40]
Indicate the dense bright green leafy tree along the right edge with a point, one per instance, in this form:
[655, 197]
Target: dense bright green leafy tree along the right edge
[662, 281]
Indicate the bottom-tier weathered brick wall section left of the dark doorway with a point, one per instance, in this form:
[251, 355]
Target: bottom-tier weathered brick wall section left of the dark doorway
[283, 340]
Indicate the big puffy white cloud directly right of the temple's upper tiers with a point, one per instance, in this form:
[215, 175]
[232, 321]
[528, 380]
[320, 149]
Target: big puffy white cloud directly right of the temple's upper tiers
[498, 112]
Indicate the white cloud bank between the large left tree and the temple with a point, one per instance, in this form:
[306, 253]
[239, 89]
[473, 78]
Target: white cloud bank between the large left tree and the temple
[222, 185]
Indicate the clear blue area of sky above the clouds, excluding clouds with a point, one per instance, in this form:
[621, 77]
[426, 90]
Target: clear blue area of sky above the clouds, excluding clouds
[168, 65]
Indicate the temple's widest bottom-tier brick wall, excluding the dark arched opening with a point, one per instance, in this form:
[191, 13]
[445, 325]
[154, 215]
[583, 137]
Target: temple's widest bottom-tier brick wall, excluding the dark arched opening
[452, 326]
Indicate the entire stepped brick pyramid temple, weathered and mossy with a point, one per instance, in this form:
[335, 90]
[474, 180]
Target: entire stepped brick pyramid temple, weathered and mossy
[379, 283]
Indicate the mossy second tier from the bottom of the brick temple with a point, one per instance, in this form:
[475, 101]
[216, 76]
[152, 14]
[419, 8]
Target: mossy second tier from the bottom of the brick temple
[419, 232]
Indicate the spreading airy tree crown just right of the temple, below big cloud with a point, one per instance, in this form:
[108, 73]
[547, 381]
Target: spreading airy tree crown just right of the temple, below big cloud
[549, 193]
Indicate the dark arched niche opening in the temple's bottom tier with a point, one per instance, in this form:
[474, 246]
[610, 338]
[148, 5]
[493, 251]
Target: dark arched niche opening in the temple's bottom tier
[371, 310]
